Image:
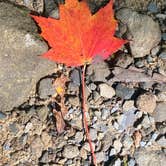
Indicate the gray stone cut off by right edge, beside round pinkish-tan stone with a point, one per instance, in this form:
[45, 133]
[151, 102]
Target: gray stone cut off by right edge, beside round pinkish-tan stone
[160, 112]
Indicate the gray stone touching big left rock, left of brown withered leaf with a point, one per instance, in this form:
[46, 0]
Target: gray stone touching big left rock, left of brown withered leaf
[46, 88]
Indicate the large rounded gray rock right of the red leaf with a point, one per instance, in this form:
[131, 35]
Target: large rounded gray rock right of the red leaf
[144, 30]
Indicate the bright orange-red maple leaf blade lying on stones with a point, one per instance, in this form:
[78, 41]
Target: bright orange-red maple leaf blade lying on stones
[78, 36]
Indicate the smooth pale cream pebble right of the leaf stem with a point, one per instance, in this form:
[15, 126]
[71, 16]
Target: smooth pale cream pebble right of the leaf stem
[106, 91]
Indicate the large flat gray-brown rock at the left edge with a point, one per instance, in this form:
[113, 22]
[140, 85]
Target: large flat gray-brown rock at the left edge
[20, 65]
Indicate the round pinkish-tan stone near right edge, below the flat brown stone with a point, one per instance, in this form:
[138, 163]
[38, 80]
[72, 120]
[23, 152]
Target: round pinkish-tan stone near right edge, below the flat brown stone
[146, 102]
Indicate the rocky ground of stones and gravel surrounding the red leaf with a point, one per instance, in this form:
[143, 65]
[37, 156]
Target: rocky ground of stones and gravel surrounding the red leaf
[126, 95]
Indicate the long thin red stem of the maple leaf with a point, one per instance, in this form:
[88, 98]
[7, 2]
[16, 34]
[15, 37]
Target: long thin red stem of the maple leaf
[84, 116]
